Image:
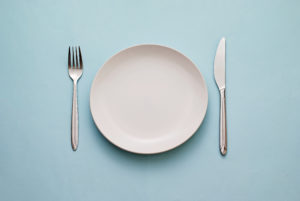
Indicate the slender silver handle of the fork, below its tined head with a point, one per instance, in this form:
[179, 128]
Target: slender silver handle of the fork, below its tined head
[74, 127]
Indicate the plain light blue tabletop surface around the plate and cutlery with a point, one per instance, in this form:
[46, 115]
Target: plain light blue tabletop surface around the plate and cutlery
[263, 96]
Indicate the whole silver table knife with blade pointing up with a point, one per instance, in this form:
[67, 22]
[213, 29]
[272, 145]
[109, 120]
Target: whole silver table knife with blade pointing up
[219, 72]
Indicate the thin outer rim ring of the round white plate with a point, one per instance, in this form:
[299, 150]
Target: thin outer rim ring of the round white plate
[154, 152]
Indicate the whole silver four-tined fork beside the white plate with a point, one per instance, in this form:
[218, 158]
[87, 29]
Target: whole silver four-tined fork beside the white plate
[75, 66]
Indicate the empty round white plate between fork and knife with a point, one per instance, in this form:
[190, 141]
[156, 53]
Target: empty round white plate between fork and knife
[148, 99]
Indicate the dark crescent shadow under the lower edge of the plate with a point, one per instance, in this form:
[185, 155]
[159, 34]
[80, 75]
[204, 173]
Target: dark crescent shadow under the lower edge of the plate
[122, 156]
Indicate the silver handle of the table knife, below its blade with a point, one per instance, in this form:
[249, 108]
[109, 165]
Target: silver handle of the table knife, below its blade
[223, 129]
